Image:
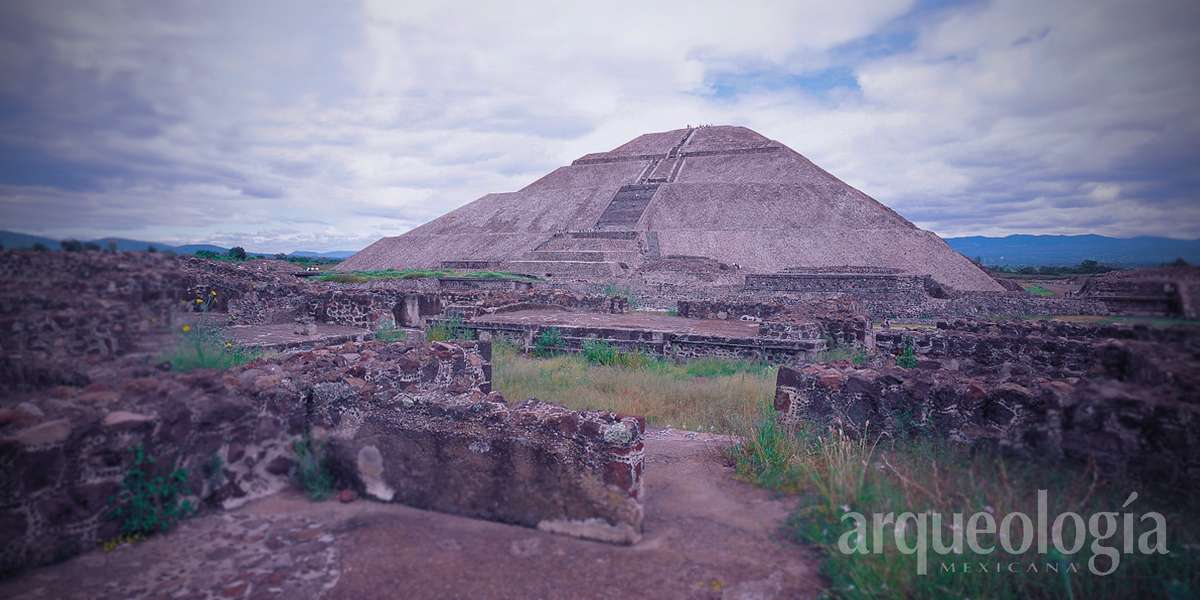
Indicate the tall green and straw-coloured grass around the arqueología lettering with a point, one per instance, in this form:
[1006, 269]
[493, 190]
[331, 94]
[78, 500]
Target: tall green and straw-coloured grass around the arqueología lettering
[833, 475]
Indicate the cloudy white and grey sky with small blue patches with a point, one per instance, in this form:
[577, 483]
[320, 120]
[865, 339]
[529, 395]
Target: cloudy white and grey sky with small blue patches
[327, 125]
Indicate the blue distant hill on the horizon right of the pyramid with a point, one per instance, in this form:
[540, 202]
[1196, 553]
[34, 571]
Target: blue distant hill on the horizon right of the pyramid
[1071, 250]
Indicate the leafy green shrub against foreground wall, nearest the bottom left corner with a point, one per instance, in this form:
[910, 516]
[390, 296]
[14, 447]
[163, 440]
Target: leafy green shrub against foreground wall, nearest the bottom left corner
[148, 503]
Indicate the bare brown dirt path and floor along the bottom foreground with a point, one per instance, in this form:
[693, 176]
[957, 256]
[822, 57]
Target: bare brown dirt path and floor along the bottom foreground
[707, 537]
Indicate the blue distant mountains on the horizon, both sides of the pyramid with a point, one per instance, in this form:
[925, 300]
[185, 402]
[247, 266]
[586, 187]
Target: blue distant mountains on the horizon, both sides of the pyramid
[1009, 251]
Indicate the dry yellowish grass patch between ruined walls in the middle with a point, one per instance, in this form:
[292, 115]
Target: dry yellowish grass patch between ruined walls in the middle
[668, 395]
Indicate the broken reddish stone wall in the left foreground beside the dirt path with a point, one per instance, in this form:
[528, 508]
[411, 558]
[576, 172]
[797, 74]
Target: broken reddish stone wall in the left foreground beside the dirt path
[404, 423]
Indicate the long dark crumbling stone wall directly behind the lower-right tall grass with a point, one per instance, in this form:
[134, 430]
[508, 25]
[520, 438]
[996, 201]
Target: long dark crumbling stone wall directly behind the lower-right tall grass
[1124, 427]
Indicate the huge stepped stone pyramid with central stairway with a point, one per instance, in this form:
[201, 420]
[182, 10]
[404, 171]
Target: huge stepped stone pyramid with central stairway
[722, 193]
